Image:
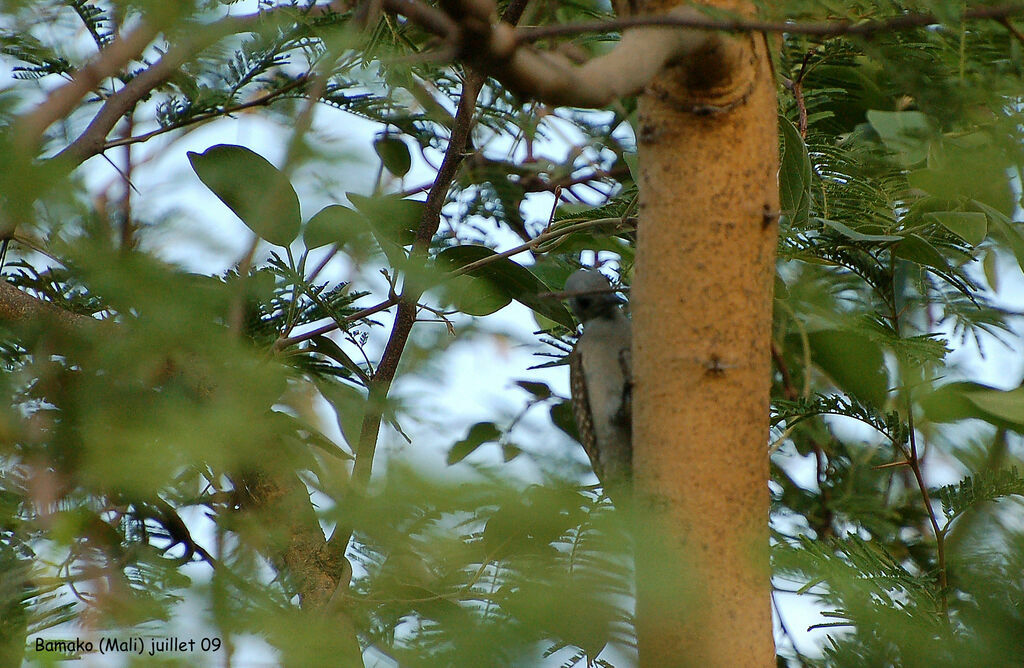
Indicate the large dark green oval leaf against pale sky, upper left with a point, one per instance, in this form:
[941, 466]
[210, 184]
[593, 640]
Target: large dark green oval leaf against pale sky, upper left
[257, 191]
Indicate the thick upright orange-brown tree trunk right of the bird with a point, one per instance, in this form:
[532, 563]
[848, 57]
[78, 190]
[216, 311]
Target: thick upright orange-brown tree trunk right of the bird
[702, 310]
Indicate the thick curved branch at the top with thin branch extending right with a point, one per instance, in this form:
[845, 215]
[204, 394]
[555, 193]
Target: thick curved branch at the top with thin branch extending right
[502, 52]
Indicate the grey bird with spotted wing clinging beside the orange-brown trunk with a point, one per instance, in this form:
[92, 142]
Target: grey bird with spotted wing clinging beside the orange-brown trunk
[601, 381]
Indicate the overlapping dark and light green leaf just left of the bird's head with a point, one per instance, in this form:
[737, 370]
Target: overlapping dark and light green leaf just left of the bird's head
[489, 288]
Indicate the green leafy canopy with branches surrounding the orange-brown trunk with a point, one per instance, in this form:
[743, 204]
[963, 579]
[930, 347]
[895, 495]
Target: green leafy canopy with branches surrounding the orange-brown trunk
[185, 442]
